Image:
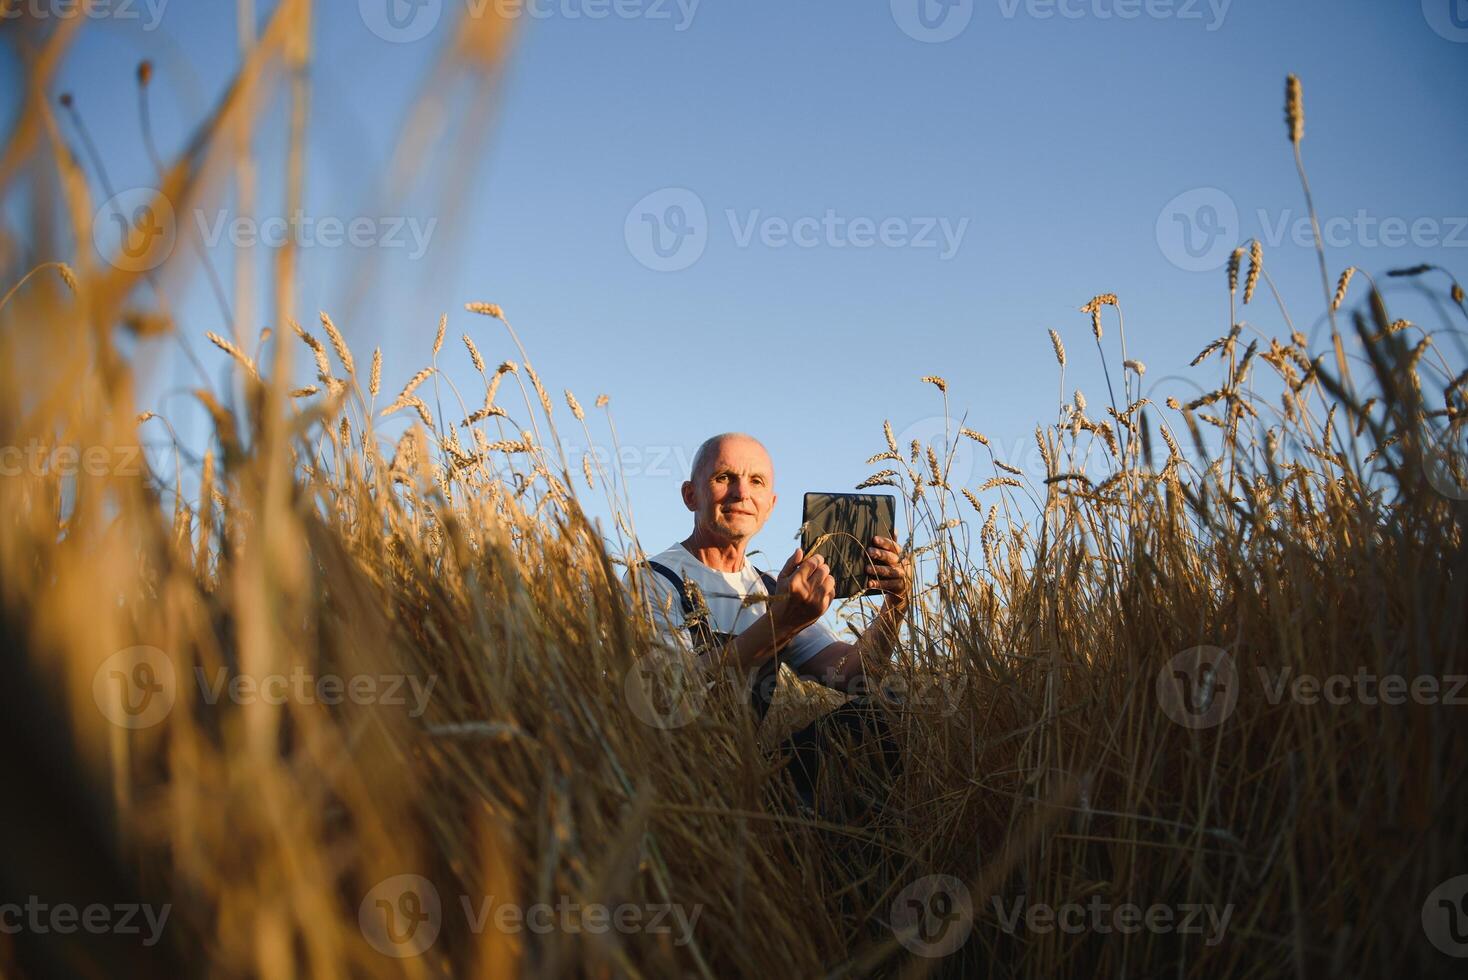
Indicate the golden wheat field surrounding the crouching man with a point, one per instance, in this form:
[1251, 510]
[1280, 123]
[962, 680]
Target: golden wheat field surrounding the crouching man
[1089, 720]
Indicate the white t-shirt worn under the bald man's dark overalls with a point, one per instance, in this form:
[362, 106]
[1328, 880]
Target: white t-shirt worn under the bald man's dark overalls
[724, 593]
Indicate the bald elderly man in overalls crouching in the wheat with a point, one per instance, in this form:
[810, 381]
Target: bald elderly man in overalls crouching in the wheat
[704, 585]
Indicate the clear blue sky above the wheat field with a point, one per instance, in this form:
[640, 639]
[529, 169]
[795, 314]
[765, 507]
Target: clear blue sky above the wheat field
[1055, 137]
